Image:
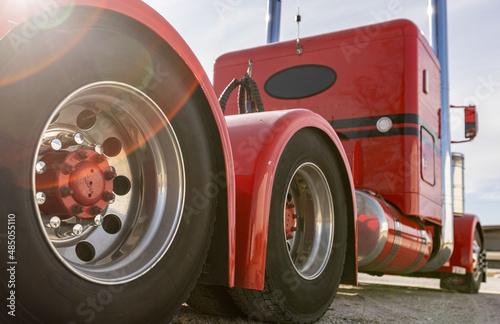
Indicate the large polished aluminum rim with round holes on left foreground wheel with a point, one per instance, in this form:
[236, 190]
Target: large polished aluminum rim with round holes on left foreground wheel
[138, 221]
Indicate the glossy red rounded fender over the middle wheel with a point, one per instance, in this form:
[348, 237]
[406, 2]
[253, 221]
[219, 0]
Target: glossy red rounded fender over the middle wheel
[258, 141]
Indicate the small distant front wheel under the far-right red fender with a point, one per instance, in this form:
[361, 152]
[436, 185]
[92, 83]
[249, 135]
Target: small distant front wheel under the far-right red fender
[470, 282]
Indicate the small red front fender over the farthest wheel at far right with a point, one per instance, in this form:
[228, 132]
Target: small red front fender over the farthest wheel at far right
[465, 229]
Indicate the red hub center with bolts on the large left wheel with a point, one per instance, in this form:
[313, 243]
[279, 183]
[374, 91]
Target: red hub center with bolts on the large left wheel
[76, 183]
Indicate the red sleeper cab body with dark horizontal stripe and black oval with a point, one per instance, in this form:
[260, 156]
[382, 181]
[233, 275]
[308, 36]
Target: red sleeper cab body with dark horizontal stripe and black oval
[380, 73]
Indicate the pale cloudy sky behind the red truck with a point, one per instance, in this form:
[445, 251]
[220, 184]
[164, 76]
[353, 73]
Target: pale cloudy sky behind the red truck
[228, 25]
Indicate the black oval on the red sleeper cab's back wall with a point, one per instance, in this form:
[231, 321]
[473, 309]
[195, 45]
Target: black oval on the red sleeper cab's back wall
[300, 81]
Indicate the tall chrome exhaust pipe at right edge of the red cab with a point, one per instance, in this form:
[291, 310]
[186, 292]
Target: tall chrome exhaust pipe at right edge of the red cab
[439, 38]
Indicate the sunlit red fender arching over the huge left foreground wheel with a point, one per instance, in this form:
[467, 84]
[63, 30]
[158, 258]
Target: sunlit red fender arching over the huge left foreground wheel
[28, 13]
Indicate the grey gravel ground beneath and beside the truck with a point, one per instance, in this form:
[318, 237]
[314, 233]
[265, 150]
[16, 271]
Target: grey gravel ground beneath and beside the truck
[392, 299]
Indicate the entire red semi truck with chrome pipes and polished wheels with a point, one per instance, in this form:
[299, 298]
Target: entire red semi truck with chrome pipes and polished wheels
[127, 188]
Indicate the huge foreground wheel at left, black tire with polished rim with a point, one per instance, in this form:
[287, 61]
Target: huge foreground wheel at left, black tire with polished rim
[105, 156]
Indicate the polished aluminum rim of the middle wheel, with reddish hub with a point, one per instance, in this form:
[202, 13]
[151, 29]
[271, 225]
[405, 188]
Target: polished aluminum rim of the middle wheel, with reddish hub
[309, 221]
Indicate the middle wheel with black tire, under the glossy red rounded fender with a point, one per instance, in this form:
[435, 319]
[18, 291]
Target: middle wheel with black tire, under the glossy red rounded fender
[307, 235]
